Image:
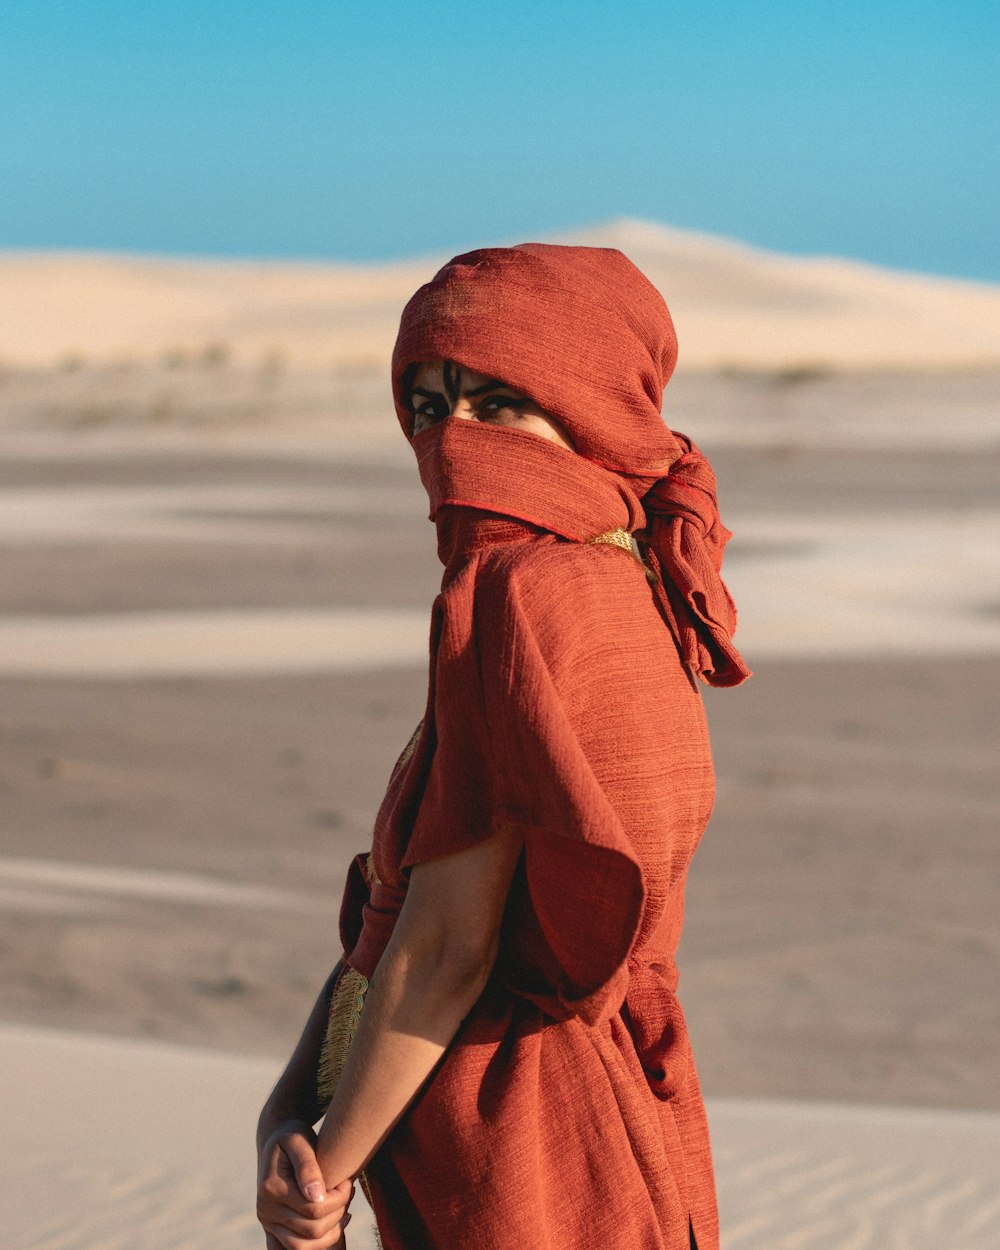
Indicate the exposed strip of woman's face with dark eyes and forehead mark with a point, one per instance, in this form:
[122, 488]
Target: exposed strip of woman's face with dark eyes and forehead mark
[441, 389]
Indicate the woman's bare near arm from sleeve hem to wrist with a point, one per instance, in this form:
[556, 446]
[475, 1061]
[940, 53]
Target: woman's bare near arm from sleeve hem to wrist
[434, 969]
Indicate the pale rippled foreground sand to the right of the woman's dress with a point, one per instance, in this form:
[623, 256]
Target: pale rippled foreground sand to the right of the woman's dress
[802, 1177]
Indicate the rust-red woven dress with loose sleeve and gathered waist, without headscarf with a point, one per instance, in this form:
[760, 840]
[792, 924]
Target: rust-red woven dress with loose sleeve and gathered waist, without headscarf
[567, 1112]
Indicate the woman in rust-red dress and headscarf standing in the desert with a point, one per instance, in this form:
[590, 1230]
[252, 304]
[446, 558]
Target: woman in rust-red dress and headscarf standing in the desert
[521, 1073]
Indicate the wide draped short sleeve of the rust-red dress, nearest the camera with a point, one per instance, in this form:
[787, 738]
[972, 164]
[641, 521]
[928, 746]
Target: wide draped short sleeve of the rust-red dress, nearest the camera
[507, 756]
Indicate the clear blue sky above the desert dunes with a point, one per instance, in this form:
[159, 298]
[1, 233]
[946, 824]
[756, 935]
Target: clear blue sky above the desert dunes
[369, 131]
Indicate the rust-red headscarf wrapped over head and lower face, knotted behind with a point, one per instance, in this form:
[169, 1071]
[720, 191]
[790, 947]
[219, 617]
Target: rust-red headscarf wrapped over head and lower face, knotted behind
[592, 342]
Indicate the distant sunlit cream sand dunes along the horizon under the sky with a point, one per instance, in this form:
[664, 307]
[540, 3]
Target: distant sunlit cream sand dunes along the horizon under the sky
[737, 307]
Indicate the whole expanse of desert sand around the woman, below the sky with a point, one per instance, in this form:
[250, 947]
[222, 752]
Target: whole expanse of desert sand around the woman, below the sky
[213, 629]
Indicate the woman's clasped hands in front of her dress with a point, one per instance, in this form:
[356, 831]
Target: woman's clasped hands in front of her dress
[294, 1206]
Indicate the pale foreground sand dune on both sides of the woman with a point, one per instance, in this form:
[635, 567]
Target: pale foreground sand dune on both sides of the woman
[792, 1176]
